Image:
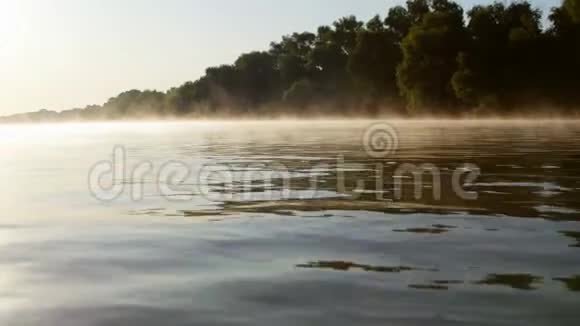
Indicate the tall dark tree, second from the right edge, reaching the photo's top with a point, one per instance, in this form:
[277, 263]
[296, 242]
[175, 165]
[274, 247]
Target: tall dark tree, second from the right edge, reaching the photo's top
[499, 67]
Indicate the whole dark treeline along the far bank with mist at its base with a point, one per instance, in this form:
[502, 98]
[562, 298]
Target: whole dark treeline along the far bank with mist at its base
[429, 57]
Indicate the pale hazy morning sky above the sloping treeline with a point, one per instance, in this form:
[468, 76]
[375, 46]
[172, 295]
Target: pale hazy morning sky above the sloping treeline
[62, 54]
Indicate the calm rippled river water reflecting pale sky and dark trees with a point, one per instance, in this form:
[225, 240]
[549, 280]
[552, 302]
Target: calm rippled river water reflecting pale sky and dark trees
[253, 250]
